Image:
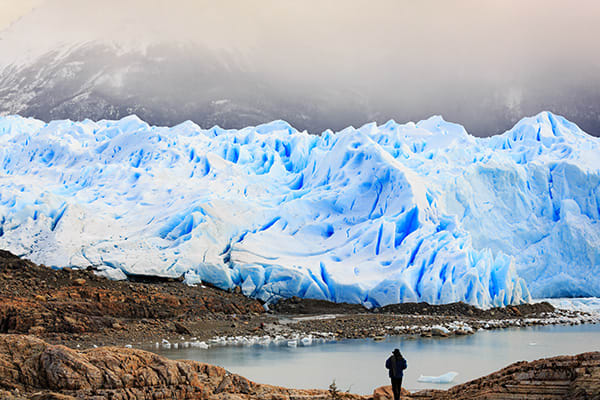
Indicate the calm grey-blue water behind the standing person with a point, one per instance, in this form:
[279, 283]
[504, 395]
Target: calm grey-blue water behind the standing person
[358, 365]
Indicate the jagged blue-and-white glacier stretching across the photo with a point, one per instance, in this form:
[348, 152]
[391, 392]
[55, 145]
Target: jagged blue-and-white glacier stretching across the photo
[377, 215]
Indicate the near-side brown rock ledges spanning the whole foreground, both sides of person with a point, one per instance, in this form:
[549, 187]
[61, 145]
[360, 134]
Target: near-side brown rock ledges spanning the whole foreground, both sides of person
[33, 369]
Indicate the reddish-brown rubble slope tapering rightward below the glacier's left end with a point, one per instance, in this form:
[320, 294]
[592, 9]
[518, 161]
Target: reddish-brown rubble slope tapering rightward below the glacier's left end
[38, 300]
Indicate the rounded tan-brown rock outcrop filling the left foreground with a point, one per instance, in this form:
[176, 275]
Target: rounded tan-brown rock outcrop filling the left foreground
[33, 368]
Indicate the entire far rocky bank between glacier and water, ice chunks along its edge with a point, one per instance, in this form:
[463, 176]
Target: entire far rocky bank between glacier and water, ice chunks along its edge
[79, 309]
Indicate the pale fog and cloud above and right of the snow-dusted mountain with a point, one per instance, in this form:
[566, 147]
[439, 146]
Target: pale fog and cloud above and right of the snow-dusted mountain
[482, 64]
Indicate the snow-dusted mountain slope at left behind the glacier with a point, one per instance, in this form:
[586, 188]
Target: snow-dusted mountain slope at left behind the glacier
[165, 84]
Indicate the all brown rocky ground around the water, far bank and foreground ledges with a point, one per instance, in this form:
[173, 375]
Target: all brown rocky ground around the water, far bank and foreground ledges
[49, 317]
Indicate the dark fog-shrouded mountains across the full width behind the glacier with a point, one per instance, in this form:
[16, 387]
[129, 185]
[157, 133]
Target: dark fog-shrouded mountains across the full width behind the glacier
[168, 83]
